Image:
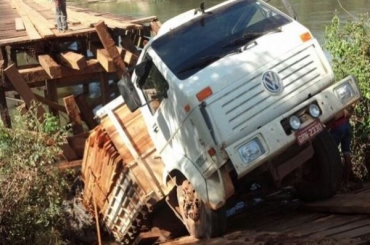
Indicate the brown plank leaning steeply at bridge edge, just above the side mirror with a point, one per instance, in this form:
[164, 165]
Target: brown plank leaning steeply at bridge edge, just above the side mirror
[111, 47]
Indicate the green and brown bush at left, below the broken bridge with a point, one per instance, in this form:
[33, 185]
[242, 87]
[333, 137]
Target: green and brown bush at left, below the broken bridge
[32, 188]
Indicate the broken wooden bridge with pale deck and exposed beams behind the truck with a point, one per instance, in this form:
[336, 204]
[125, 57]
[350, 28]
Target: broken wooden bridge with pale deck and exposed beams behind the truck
[36, 59]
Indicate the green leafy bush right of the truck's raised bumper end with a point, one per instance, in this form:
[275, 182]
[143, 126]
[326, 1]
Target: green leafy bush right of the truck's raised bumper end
[349, 45]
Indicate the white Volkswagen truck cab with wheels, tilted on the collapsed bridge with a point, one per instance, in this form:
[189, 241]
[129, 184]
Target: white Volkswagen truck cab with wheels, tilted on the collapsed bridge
[236, 94]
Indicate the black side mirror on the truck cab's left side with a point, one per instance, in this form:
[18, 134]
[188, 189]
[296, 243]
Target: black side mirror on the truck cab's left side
[128, 92]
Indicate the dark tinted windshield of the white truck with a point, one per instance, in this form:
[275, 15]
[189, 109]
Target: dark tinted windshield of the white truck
[187, 48]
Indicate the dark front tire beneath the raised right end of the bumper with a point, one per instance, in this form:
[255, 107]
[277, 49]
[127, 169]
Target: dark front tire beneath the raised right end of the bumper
[323, 172]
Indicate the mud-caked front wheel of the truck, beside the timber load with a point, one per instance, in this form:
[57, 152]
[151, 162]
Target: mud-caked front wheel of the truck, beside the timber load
[200, 220]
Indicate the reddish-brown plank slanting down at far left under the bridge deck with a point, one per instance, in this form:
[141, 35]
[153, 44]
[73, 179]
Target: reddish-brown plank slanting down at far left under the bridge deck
[22, 88]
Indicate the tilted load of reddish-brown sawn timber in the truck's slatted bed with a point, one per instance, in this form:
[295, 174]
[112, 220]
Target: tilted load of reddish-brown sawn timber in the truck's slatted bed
[122, 175]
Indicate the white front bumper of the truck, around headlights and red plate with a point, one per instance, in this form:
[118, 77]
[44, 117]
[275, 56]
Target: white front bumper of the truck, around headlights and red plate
[273, 139]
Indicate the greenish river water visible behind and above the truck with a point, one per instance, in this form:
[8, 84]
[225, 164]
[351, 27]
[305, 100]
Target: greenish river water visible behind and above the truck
[315, 14]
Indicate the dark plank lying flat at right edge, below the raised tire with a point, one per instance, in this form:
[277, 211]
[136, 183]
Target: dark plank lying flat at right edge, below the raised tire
[342, 203]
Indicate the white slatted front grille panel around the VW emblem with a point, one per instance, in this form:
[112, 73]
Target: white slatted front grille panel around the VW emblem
[250, 105]
